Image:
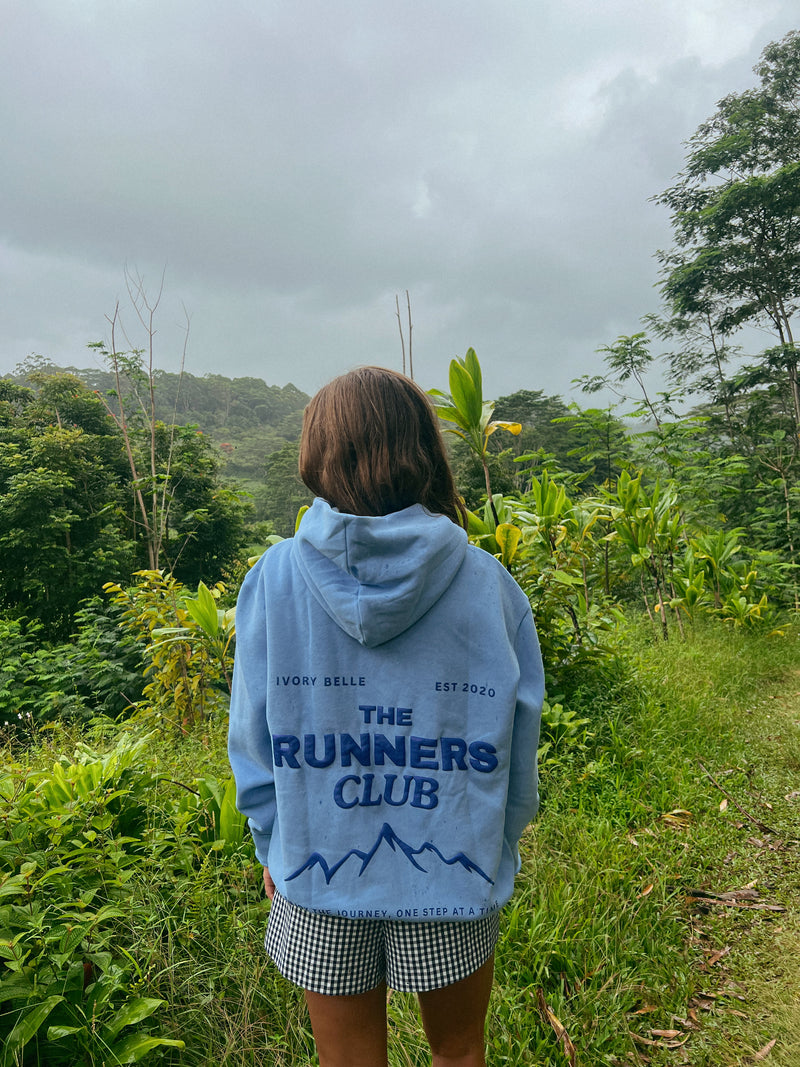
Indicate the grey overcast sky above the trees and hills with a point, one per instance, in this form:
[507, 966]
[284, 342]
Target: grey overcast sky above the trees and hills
[294, 165]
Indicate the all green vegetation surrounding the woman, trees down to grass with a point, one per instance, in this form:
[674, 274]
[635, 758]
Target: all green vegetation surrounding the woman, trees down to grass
[658, 546]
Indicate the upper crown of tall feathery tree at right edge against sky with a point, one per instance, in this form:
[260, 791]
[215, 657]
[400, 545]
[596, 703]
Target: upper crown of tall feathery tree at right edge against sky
[737, 214]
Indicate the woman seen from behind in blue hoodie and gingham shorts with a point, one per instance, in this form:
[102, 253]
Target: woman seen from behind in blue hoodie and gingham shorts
[385, 727]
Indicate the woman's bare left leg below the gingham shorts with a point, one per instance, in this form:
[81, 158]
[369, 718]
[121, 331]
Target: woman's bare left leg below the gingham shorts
[350, 1031]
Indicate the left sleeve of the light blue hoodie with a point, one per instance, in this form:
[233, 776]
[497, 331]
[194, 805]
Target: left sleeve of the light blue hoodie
[250, 747]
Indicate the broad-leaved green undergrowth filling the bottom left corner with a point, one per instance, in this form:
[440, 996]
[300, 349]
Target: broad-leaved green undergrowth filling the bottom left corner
[83, 840]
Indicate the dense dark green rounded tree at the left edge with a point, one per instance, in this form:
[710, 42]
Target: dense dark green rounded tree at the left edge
[62, 492]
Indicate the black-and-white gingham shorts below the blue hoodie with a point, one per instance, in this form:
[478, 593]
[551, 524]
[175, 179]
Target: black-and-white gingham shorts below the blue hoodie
[341, 957]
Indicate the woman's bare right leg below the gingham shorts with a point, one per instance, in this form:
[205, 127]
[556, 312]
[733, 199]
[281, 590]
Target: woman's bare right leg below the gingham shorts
[455, 1018]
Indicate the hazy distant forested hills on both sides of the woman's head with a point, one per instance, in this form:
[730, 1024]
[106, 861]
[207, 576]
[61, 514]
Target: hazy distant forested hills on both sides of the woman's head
[255, 429]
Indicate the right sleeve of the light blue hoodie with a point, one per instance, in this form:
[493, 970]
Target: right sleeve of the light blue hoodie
[523, 797]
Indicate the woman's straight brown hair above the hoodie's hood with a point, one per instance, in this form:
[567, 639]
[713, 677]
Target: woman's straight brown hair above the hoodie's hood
[372, 447]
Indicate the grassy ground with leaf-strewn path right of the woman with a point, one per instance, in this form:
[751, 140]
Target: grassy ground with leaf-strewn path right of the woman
[653, 920]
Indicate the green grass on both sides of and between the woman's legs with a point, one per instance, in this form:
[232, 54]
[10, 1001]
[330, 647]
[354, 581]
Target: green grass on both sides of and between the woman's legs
[601, 926]
